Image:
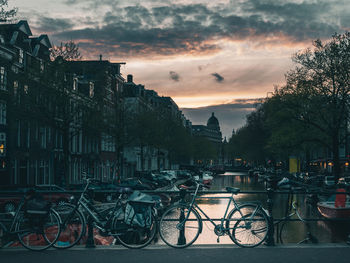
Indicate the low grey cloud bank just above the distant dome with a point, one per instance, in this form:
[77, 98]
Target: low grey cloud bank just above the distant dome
[230, 116]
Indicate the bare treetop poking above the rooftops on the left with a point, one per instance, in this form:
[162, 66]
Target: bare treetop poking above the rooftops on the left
[68, 51]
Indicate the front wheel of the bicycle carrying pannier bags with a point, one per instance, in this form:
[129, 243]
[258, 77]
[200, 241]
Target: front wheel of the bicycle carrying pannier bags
[73, 226]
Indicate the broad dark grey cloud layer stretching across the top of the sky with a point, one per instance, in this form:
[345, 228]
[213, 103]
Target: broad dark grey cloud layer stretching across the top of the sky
[138, 30]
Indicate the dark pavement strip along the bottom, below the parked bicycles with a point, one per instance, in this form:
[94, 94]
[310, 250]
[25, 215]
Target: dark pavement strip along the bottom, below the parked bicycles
[322, 253]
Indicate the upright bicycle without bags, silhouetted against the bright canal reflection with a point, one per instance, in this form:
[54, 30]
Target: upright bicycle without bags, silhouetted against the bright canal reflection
[246, 224]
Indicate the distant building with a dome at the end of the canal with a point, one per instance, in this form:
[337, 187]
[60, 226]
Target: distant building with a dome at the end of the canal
[211, 131]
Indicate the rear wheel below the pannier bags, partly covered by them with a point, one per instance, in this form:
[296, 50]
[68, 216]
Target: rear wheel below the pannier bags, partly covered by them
[138, 237]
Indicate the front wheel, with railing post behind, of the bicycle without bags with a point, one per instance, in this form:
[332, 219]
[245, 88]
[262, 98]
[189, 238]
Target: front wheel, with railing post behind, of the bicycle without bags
[175, 231]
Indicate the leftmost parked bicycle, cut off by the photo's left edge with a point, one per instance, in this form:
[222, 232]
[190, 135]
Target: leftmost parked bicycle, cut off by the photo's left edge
[38, 231]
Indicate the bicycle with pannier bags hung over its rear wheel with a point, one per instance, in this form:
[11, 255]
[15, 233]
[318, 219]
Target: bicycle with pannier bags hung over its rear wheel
[109, 221]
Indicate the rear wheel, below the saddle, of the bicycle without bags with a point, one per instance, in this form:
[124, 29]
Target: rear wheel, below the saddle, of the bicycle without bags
[251, 230]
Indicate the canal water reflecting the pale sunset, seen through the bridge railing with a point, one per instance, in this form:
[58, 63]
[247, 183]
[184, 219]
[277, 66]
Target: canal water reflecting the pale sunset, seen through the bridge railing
[296, 231]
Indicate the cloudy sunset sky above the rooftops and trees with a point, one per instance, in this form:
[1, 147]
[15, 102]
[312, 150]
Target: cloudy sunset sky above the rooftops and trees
[207, 55]
